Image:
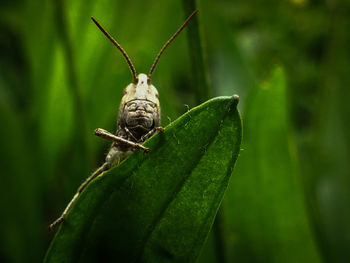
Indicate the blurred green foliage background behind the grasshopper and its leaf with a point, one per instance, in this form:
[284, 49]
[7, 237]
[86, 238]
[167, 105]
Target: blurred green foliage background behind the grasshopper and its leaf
[60, 78]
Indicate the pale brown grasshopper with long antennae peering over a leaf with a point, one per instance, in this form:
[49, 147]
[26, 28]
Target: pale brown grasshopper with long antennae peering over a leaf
[138, 117]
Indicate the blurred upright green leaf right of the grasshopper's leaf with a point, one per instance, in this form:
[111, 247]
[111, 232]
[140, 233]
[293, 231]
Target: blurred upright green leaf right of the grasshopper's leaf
[264, 215]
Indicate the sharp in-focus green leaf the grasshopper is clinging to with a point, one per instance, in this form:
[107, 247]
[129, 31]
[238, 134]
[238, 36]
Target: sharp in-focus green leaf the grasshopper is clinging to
[159, 206]
